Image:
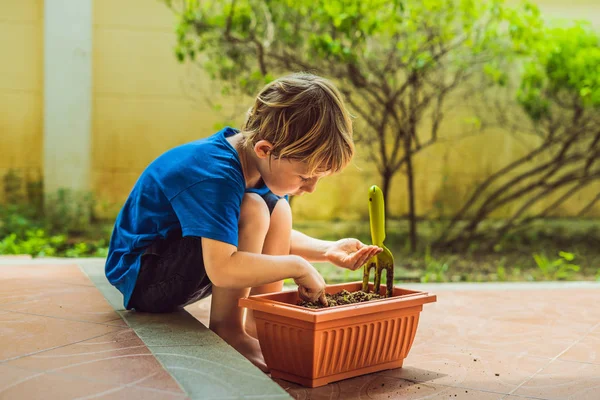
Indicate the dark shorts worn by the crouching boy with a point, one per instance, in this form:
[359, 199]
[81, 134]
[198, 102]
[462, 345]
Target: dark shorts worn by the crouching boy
[172, 273]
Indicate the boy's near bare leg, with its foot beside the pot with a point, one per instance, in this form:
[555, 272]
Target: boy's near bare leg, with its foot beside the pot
[226, 318]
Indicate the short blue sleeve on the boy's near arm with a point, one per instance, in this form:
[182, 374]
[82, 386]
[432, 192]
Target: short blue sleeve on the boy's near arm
[209, 209]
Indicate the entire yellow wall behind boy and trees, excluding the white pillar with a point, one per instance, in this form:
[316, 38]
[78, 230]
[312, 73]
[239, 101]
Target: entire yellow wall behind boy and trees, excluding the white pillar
[144, 102]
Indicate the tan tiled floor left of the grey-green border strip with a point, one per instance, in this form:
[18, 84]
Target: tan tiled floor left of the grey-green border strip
[60, 339]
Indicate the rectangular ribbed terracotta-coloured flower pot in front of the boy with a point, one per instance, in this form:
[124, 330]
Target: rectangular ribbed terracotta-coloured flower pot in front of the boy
[316, 347]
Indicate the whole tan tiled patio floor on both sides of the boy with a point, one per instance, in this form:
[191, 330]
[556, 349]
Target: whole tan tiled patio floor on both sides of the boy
[60, 339]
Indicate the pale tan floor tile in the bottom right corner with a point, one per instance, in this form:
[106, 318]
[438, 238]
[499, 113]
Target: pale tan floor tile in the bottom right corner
[564, 379]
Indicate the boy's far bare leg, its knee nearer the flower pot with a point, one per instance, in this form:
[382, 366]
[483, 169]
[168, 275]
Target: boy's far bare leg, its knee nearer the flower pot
[277, 242]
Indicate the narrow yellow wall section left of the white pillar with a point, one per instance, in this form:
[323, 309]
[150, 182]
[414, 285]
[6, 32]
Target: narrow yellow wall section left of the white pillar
[21, 65]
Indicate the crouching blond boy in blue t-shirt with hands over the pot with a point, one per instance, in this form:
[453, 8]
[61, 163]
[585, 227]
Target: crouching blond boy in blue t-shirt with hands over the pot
[211, 216]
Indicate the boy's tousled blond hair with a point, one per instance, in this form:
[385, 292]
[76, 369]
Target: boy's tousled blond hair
[303, 116]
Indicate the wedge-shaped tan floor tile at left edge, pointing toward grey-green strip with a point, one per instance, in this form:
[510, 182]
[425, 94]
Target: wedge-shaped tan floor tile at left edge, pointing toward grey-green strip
[22, 334]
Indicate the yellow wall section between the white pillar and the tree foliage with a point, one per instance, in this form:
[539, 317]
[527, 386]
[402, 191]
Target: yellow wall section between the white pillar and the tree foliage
[140, 109]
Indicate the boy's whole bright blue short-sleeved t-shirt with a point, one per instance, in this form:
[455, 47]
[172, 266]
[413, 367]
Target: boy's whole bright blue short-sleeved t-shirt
[196, 188]
